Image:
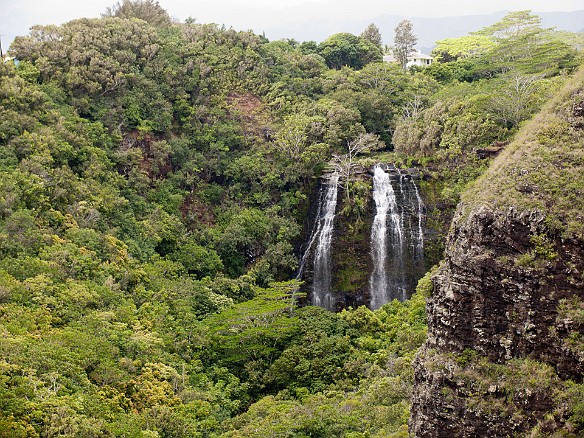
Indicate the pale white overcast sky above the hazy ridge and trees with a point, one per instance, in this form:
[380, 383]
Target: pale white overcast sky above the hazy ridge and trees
[17, 16]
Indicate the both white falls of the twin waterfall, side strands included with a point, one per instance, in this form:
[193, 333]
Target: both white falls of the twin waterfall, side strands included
[397, 240]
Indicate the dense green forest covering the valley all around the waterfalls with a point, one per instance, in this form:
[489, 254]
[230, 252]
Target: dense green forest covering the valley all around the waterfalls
[155, 179]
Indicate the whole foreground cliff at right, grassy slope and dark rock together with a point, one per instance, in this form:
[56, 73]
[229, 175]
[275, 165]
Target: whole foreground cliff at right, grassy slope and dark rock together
[505, 351]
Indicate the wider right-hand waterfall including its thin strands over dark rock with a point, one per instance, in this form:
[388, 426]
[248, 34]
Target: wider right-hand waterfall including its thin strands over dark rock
[397, 237]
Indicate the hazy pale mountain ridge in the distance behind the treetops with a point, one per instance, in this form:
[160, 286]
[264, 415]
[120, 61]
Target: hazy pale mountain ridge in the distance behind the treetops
[428, 30]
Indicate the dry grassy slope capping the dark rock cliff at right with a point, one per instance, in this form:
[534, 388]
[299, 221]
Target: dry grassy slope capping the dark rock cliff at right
[543, 168]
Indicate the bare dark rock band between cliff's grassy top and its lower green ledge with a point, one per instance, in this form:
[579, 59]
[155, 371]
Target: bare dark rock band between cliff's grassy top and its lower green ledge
[500, 287]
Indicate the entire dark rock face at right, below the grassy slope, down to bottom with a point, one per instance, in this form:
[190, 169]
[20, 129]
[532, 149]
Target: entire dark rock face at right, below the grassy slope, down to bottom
[508, 301]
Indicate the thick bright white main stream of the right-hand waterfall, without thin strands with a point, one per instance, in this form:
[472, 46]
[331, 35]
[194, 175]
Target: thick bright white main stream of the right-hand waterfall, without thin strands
[386, 213]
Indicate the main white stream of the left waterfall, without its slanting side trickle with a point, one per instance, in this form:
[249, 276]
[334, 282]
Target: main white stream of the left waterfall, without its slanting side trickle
[321, 284]
